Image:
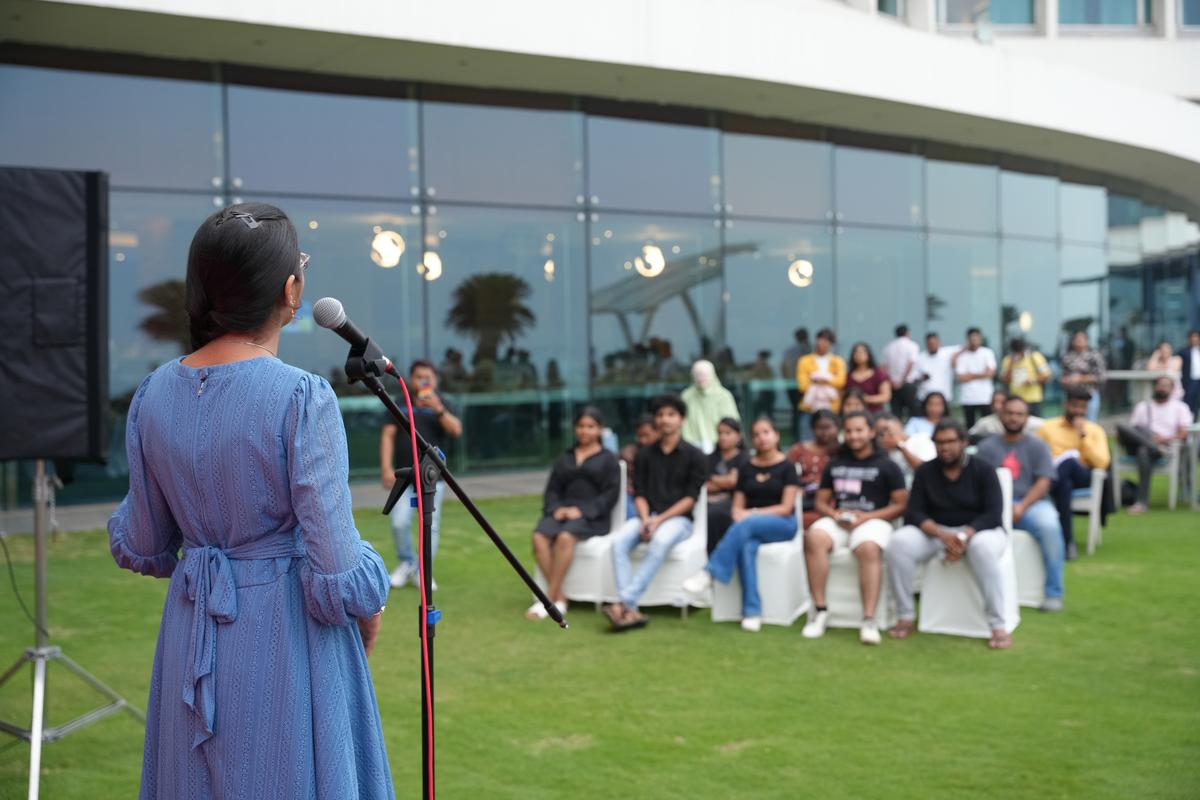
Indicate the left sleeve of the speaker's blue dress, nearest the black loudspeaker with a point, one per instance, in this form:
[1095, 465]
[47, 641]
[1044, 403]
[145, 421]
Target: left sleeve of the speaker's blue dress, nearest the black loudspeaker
[143, 534]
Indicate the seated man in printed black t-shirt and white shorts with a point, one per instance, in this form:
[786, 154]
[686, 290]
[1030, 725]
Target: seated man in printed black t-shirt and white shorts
[862, 492]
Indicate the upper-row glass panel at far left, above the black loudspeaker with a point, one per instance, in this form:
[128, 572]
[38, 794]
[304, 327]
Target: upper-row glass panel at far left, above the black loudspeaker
[145, 133]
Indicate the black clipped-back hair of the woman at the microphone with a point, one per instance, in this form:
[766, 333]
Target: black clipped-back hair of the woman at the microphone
[239, 261]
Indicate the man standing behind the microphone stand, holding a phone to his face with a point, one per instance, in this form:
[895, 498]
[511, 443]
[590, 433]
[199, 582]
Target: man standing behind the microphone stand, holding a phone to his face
[437, 425]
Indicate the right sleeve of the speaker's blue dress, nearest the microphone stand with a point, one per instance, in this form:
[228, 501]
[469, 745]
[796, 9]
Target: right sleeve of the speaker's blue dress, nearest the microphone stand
[344, 578]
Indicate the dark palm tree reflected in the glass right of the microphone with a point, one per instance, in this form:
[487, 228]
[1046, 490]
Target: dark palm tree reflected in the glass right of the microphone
[490, 308]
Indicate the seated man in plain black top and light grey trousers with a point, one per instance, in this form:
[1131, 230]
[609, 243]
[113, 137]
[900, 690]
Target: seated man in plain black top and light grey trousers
[955, 512]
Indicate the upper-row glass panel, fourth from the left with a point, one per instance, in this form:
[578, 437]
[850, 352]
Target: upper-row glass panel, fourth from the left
[652, 166]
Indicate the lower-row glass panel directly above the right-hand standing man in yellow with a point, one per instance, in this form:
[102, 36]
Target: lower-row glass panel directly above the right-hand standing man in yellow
[1028, 292]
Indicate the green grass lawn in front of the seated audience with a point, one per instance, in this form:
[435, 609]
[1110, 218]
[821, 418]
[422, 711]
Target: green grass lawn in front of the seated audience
[1102, 701]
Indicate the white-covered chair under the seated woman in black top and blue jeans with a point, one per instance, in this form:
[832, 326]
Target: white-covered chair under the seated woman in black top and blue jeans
[783, 581]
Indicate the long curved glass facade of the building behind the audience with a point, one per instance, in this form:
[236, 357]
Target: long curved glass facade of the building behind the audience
[544, 257]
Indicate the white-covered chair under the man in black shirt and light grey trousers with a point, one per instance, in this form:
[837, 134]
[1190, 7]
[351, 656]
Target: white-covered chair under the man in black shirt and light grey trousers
[951, 600]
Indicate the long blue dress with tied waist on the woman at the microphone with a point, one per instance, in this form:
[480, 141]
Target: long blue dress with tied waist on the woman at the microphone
[261, 687]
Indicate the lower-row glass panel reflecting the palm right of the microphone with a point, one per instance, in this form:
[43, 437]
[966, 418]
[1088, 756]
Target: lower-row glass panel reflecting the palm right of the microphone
[512, 300]
